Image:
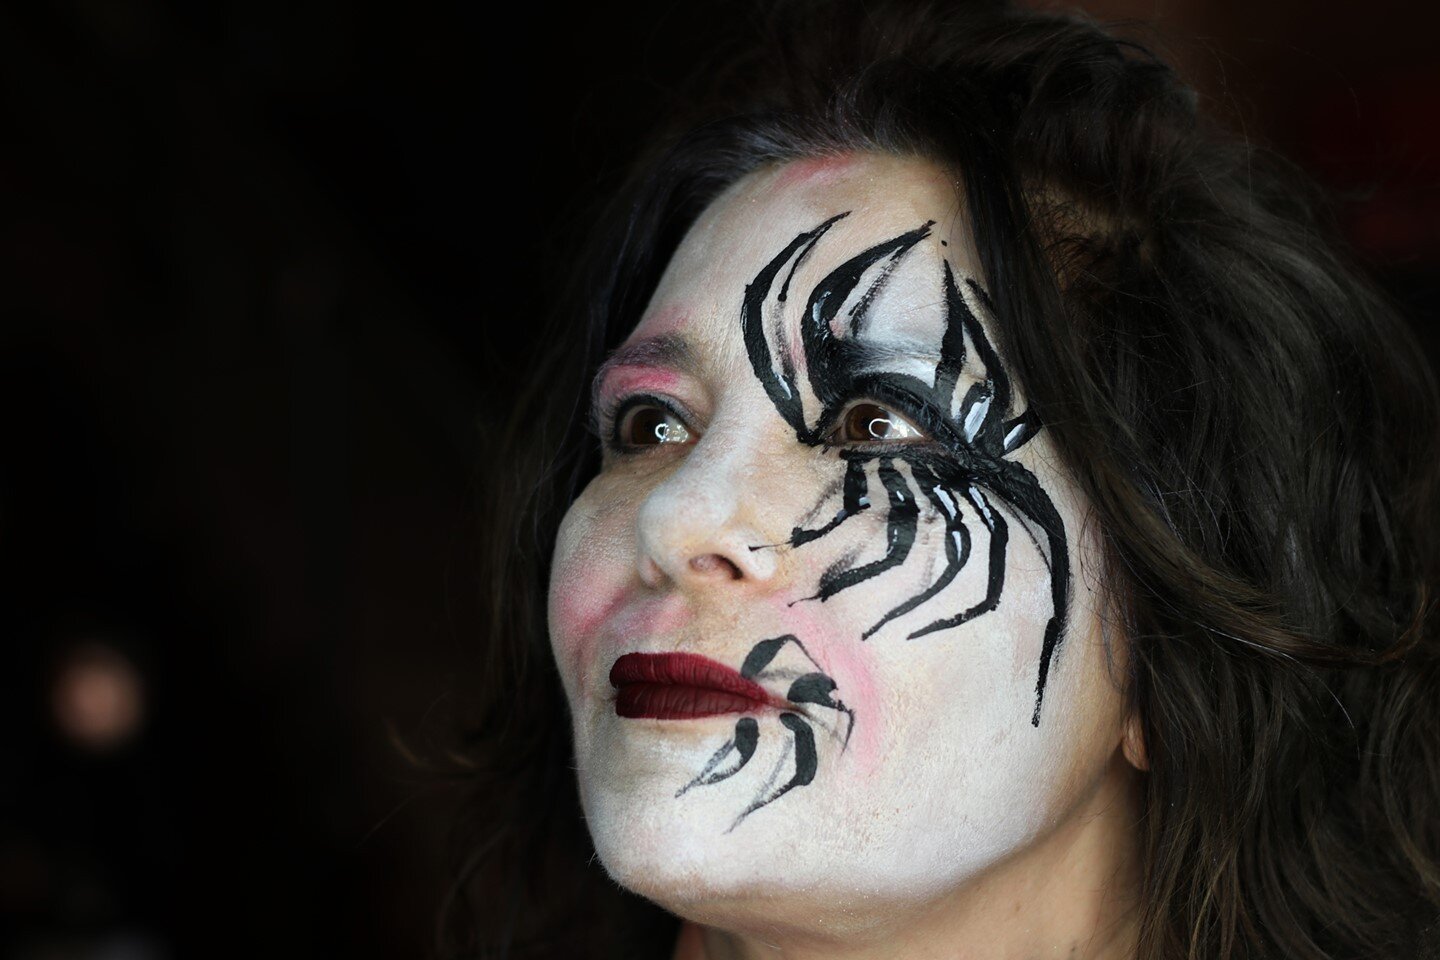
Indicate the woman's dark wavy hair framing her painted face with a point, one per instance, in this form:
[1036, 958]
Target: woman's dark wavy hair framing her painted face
[1255, 427]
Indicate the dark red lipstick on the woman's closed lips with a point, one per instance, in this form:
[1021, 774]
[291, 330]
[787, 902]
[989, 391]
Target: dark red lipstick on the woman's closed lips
[683, 687]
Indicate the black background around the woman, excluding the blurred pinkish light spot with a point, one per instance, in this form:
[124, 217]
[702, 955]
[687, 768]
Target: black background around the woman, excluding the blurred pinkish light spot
[267, 270]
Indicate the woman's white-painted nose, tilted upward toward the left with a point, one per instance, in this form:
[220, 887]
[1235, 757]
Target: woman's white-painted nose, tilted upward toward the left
[698, 529]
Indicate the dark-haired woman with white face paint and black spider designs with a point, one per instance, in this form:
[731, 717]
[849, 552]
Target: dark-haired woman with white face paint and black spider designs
[1010, 535]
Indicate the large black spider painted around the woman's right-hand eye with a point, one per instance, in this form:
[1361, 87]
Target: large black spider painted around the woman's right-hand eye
[964, 473]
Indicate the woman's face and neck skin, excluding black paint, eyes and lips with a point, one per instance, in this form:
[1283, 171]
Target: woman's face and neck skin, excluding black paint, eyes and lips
[950, 827]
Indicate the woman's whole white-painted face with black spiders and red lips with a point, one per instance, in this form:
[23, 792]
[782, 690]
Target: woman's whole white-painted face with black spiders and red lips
[824, 617]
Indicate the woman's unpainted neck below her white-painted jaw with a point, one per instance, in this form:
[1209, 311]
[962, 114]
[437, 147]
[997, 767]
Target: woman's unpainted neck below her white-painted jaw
[1072, 895]
